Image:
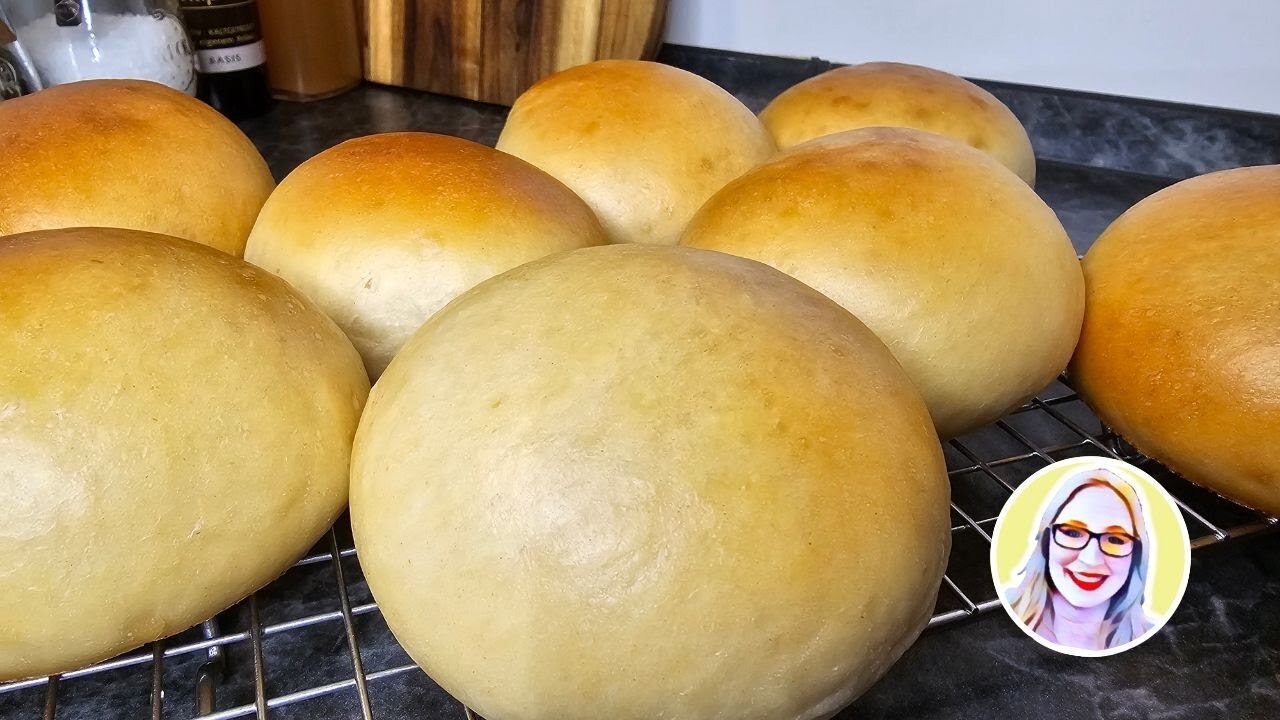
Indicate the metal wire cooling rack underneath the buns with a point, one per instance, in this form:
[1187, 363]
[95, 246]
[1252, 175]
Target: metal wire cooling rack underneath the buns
[313, 644]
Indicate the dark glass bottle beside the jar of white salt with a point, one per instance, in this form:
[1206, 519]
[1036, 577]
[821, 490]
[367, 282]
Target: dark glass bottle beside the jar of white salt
[230, 56]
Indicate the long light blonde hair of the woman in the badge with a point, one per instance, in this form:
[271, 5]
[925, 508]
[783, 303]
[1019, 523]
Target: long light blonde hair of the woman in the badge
[1126, 619]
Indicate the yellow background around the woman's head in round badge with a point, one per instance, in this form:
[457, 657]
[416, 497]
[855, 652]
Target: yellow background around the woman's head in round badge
[1017, 532]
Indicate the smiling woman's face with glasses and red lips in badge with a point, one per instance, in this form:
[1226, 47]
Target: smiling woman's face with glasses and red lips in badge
[1089, 577]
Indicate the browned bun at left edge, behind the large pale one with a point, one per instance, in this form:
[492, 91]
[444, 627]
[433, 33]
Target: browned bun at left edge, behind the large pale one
[129, 154]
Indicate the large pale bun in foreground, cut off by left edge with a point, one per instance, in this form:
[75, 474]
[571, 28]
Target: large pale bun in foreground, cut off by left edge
[175, 432]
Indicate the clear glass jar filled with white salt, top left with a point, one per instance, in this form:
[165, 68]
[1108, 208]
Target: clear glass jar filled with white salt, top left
[74, 40]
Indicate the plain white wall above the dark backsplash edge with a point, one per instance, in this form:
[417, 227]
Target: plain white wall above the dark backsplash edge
[1220, 53]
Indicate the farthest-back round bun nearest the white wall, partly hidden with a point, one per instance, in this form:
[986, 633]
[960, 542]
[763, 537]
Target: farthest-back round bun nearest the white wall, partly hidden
[899, 95]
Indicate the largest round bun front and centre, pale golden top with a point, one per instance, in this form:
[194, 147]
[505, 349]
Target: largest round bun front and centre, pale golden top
[650, 482]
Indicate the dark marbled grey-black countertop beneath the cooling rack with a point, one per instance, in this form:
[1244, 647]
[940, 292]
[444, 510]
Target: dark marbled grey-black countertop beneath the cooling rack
[1219, 658]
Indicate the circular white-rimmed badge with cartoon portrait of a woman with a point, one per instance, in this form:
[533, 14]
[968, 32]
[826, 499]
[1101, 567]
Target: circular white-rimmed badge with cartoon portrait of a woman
[1091, 557]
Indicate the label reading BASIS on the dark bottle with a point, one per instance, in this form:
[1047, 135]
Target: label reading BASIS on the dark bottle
[226, 34]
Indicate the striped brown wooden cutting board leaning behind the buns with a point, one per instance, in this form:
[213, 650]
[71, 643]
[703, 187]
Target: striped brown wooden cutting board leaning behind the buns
[493, 51]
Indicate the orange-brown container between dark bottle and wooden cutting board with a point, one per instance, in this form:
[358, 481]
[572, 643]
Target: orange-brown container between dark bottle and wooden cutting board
[313, 48]
